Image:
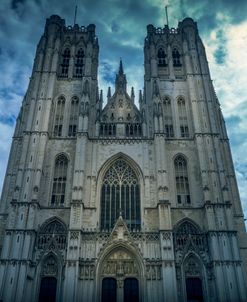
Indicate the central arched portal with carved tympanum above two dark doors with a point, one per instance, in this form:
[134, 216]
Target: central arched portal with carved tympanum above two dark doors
[120, 276]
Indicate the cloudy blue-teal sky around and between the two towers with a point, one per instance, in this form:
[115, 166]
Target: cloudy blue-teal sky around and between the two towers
[121, 28]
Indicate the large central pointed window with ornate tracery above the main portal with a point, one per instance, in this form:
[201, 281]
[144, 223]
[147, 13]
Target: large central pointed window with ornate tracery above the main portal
[120, 195]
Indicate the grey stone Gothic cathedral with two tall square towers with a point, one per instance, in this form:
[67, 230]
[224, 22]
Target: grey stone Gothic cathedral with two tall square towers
[118, 202]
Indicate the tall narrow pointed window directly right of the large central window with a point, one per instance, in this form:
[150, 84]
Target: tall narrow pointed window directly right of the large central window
[182, 183]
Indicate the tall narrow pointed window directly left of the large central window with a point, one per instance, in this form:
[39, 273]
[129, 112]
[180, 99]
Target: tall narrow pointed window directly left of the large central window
[59, 180]
